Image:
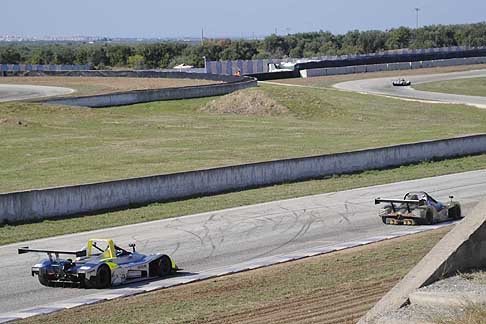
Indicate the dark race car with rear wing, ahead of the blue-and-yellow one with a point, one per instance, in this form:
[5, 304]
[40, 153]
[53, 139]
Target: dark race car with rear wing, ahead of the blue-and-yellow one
[418, 208]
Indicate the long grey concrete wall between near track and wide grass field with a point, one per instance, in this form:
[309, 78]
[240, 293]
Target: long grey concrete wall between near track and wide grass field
[89, 198]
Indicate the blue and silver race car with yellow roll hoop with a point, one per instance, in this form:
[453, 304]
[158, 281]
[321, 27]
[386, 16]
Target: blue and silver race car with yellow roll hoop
[101, 264]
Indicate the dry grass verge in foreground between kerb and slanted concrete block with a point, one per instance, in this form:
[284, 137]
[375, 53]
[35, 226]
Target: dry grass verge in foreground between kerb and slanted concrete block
[334, 288]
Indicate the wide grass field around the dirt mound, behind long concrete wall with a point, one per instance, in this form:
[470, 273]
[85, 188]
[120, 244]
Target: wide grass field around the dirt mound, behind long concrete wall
[46, 146]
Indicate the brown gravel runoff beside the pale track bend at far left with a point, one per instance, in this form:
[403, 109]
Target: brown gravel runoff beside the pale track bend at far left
[104, 85]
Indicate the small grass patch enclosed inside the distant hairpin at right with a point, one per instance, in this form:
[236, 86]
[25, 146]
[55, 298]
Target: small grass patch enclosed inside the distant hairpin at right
[470, 87]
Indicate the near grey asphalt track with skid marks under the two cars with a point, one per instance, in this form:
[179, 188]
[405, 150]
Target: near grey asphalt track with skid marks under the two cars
[211, 240]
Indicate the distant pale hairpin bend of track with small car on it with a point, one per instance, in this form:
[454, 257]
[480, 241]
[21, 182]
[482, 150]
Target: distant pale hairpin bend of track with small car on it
[384, 87]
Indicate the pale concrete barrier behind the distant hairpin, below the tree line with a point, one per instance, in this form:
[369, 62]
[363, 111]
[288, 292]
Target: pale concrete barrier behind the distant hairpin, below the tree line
[392, 67]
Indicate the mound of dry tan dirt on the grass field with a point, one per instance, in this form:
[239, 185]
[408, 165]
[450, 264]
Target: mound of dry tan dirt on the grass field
[246, 102]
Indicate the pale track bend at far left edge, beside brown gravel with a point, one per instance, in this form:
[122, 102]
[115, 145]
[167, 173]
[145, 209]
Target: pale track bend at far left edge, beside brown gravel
[12, 92]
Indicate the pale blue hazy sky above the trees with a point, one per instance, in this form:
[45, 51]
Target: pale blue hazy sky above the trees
[152, 18]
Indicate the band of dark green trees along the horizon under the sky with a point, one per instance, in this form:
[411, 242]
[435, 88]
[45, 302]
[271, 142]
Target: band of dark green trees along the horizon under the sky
[169, 54]
